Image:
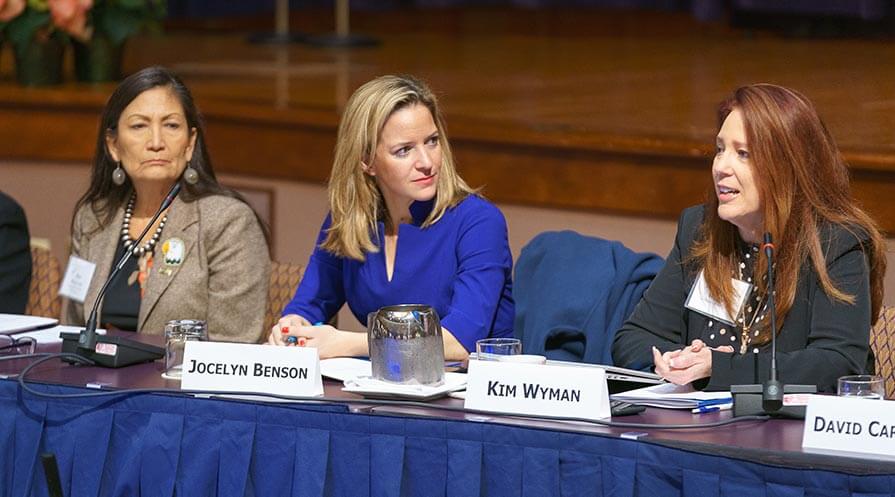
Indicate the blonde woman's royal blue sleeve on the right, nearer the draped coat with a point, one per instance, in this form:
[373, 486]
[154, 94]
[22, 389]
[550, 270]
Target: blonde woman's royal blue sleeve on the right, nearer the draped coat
[484, 265]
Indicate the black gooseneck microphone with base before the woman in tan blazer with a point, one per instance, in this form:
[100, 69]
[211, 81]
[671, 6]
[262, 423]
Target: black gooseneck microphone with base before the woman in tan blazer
[116, 352]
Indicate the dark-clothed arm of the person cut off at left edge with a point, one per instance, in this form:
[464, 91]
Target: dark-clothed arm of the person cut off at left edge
[15, 257]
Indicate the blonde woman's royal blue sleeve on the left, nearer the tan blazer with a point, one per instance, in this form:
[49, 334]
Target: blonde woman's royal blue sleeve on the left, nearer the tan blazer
[320, 293]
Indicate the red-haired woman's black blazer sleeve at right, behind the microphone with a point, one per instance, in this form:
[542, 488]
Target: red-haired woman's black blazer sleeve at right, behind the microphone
[822, 338]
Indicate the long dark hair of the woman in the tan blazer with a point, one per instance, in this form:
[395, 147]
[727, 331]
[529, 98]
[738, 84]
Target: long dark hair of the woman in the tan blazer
[103, 196]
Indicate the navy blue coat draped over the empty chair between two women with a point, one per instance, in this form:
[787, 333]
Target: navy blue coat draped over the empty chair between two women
[573, 292]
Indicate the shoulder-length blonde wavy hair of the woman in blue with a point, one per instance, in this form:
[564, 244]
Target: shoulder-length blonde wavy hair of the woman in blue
[355, 202]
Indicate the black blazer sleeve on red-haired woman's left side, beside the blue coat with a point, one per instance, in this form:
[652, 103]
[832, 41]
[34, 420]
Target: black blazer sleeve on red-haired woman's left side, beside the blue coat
[660, 319]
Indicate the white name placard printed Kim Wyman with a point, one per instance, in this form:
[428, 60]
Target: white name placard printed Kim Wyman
[519, 388]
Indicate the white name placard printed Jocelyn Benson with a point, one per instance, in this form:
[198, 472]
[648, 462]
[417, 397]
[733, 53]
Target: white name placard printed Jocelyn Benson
[238, 367]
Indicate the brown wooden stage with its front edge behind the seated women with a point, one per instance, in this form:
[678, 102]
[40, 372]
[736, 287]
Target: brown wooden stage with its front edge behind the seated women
[597, 110]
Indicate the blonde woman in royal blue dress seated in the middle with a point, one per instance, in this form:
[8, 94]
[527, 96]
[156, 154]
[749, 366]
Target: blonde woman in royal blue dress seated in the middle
[403, 228]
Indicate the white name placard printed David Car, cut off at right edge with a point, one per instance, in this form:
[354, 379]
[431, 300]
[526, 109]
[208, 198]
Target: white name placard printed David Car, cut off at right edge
[848, 424]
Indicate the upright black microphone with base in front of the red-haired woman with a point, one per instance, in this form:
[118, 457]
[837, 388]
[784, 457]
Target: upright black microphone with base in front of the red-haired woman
[767, 398]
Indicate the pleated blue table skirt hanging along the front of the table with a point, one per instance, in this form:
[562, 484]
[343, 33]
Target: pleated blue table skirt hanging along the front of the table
[163, 445]
